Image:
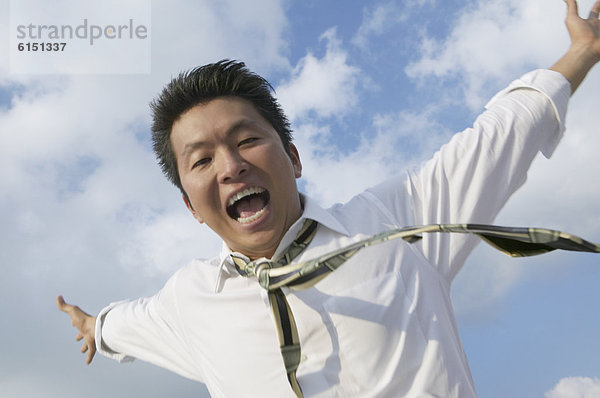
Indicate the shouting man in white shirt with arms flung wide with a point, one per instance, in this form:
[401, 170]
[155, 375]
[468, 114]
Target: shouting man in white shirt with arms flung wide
[382, 324]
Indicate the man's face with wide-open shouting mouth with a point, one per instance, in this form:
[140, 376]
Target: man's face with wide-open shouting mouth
[238, 177]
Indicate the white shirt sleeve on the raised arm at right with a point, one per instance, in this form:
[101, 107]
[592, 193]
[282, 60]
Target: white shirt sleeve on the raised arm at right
[470, 178]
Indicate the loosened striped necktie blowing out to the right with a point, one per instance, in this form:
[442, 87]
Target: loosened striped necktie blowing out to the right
[273, 275]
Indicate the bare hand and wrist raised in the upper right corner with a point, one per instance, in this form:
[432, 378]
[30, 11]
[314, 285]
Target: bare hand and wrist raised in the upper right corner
[584, 51]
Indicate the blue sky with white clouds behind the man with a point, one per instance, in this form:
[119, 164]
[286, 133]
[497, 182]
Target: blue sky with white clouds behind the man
[372, 89]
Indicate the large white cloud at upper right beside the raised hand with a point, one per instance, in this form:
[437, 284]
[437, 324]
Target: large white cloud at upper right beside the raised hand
[493, 40]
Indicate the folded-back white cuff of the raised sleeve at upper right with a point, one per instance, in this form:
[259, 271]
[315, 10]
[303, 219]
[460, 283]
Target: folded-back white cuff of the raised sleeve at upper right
[556, 88]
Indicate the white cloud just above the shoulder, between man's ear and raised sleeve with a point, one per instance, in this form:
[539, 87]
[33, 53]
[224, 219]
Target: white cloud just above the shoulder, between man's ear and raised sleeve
[393, 143]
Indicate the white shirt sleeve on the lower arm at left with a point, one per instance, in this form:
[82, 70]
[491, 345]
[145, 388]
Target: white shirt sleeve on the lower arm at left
[146, 329]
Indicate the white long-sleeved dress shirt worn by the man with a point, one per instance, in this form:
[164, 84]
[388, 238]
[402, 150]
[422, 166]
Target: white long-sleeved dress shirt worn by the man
[382, 325]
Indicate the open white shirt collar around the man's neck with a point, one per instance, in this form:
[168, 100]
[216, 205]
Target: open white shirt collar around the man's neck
[312, 210]
